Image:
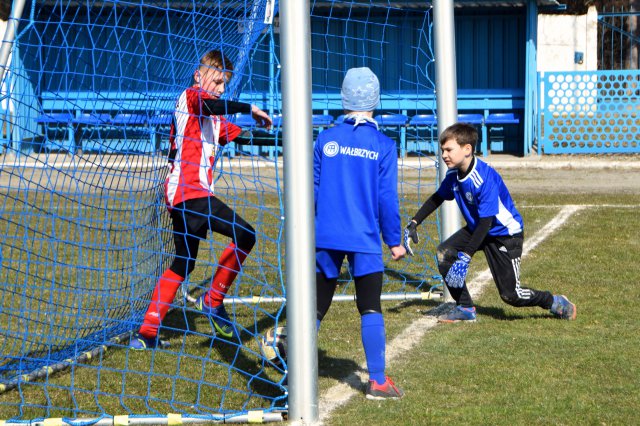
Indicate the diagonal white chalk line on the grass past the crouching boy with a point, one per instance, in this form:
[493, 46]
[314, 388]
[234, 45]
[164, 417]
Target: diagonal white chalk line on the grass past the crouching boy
[341, 393]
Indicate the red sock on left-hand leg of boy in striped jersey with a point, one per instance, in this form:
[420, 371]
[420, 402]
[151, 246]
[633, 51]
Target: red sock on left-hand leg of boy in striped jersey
[161, 300]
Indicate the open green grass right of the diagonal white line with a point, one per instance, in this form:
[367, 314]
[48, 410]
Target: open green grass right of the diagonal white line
[519, 366]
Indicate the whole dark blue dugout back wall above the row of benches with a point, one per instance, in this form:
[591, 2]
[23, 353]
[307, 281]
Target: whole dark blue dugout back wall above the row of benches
[490, 50]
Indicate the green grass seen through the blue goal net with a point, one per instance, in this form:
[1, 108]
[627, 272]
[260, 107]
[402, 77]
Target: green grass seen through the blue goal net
[45, 305]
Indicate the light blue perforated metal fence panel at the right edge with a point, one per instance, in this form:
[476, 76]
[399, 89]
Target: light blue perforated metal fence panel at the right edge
[595, 112]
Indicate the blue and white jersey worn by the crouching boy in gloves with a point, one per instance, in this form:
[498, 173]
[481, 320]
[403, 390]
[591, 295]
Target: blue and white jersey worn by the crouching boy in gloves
[482, 193]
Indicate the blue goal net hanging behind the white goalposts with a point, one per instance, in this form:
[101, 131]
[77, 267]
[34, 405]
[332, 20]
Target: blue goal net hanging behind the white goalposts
[86, 110]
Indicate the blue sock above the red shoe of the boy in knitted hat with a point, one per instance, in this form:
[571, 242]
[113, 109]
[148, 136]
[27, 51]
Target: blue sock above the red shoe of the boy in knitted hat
[374, 342]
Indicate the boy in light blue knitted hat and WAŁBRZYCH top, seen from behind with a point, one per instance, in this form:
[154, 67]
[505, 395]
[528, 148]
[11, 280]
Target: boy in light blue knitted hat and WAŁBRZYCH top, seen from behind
[356, 200]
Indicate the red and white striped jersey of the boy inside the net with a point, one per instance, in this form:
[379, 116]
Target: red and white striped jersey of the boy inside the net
[195, 139]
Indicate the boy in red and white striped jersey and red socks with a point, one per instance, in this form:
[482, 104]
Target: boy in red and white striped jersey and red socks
[198, 131]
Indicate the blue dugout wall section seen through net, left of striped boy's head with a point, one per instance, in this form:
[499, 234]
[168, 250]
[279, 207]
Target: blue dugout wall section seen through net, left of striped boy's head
[115, 48]
